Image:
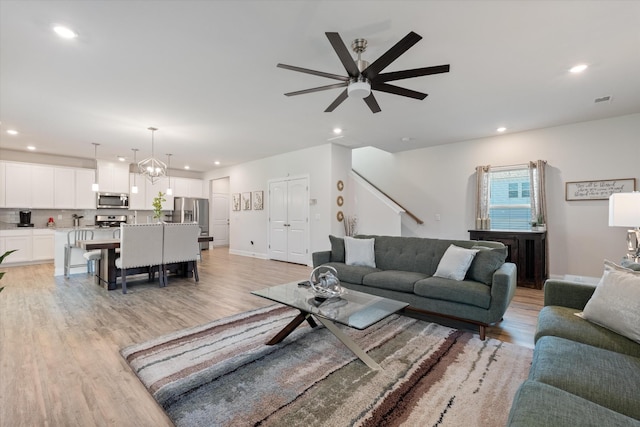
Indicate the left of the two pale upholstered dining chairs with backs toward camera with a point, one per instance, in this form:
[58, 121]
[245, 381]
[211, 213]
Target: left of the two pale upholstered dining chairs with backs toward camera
[140, 251]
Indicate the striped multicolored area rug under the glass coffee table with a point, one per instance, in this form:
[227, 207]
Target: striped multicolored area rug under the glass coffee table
[223, 374]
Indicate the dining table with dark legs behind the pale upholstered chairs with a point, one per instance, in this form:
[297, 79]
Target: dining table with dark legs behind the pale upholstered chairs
[106, 271]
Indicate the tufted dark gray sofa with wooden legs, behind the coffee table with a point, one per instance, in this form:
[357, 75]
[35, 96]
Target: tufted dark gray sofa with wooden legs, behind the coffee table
[404, 272]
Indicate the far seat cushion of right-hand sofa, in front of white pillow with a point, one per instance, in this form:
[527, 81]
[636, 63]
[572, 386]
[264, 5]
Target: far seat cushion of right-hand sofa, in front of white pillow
[562, 322]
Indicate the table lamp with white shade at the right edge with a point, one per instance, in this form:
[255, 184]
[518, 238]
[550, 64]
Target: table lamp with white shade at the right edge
[624, 211]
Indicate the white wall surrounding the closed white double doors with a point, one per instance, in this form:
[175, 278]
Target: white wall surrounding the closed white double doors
[322, 164]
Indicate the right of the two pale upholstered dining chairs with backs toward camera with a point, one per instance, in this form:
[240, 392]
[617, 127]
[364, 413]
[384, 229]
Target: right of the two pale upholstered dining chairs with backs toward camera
[181, 245]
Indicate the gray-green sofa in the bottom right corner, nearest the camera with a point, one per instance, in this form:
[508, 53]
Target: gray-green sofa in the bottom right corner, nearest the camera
[582, 374]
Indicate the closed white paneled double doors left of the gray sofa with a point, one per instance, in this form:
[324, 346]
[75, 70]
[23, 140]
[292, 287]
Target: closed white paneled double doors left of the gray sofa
[288, 220]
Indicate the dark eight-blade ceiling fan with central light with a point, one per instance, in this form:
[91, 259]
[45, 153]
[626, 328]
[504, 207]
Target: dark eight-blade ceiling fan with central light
[364, 77]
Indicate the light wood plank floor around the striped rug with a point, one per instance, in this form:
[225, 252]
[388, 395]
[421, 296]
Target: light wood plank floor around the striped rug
[60, 338]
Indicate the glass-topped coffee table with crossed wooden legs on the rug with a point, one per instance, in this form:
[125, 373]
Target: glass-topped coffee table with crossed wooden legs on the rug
[354, 309]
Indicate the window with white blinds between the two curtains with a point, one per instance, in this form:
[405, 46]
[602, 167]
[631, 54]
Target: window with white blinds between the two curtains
[509, 200]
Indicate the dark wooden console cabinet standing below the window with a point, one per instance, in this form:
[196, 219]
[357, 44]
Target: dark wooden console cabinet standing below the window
[527, 250]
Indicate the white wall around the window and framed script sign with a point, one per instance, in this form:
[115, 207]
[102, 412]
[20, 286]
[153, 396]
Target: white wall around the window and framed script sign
[441, 180]
